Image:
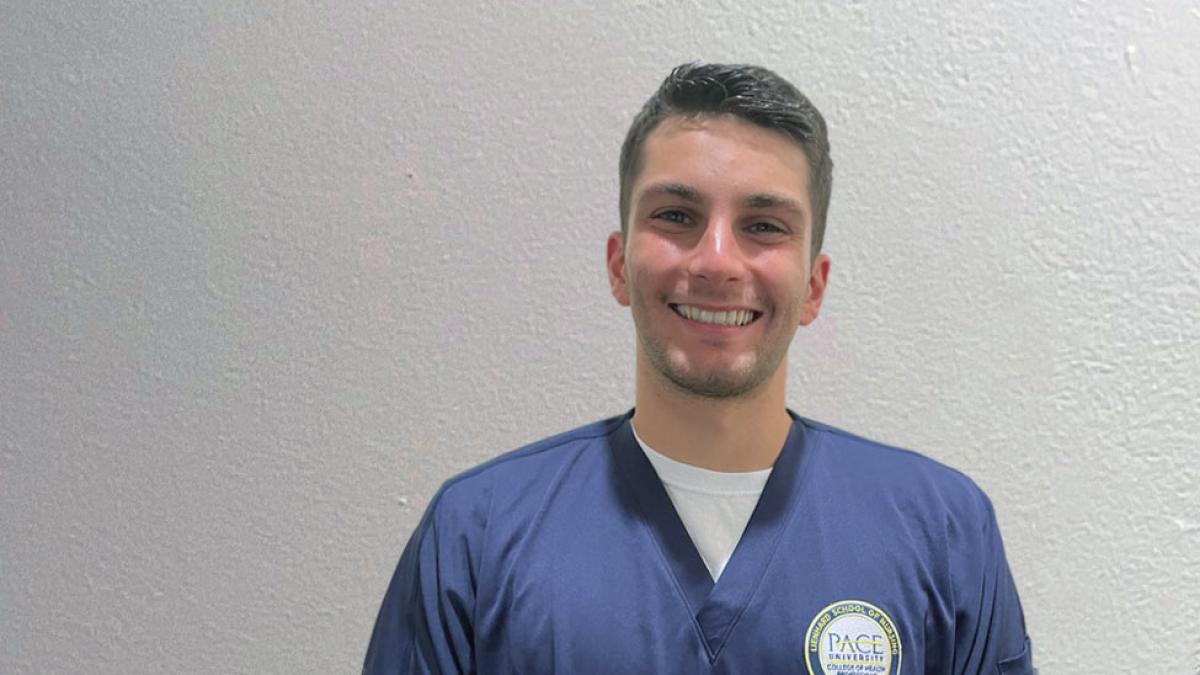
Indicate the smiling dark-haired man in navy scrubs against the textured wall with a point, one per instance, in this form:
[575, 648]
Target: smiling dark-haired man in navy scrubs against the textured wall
[710, 530]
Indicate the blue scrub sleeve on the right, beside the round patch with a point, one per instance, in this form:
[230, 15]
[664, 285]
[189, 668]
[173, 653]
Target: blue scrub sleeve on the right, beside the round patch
[989, 624]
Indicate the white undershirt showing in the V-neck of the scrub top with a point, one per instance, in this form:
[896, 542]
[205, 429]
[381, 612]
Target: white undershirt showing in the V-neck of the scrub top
[715, 506]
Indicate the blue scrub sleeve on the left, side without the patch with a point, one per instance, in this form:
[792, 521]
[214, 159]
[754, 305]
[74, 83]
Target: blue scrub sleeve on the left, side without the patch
[425, 622]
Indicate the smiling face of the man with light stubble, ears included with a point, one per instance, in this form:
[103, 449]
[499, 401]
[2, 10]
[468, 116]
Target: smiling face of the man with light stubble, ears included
[717, 266]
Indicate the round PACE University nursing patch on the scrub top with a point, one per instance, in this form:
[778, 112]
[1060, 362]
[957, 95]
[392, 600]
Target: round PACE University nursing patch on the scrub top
[853, 638]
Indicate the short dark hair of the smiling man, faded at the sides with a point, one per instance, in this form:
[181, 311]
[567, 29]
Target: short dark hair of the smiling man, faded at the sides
[749, 93]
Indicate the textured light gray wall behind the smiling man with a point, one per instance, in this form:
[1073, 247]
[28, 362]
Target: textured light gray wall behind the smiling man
[272, 273]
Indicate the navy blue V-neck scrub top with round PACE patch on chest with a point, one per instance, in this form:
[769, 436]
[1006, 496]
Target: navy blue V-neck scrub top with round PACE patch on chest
[568, 557]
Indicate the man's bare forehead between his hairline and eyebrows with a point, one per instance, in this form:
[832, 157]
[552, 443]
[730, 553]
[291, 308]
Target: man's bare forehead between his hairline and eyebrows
[723, 156]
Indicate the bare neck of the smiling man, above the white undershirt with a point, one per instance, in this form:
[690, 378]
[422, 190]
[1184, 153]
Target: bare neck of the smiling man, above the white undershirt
[739, 434]
